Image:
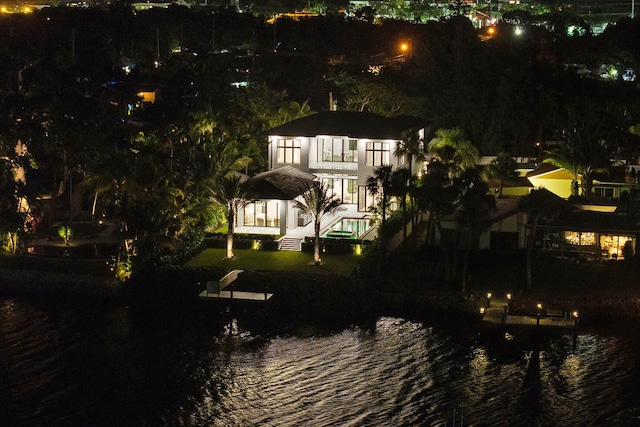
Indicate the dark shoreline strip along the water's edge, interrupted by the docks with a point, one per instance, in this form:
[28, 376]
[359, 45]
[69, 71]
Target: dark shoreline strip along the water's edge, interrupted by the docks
[322, 295]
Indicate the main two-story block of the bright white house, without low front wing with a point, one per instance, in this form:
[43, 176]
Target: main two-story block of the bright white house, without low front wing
[342, 148]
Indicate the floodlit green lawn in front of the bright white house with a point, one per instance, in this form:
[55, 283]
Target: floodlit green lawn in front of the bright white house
[341, 265]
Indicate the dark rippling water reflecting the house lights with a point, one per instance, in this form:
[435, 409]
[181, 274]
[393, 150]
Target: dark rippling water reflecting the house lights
[116, 366]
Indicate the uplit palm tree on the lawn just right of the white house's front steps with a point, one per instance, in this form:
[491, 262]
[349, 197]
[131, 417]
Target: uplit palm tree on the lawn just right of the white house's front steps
[317, 202]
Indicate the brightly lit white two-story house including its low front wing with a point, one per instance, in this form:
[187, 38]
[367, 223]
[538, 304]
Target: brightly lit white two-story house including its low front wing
[339, 148]
